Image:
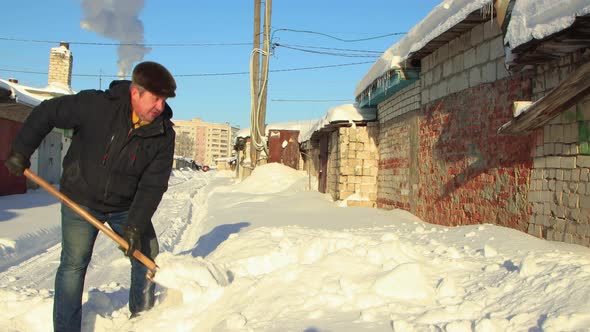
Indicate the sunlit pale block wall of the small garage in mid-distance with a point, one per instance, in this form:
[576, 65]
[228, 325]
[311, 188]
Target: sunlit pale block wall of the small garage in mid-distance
[352, 166]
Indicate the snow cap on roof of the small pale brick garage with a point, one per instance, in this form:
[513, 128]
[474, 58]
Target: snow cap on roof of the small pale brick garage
[341, 113]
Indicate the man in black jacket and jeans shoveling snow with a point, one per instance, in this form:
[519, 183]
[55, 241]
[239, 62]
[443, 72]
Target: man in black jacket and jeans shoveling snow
[117, 170]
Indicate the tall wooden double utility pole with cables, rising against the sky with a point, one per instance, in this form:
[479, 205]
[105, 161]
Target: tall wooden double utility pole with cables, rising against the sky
[259, 82]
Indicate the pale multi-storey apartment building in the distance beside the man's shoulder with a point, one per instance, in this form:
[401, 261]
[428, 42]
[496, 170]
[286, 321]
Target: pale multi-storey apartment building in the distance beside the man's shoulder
[203, 141]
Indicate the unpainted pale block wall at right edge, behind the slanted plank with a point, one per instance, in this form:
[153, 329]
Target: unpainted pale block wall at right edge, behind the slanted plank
[560, 180]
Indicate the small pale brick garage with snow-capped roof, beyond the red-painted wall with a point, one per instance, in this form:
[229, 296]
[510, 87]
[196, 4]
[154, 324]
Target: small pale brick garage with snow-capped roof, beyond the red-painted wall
[341, 151]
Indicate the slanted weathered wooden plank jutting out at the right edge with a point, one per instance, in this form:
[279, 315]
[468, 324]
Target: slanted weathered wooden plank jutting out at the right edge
[575, 87]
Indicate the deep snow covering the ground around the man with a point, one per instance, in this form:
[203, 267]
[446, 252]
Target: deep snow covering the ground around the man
[268, 254]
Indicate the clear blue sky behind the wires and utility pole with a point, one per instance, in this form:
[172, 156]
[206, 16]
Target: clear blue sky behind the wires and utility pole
[219, 98]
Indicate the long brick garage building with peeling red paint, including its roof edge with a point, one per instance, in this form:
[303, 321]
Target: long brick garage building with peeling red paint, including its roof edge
[441, 154]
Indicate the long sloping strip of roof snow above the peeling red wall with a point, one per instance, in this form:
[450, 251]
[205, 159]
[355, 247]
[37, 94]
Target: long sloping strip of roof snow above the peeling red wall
[443, 17]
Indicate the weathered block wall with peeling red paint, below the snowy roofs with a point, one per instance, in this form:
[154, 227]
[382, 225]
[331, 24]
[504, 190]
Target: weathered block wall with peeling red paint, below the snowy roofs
[442, 159]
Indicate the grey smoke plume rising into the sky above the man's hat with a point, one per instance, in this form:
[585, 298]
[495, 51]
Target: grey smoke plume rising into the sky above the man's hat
[118, 20]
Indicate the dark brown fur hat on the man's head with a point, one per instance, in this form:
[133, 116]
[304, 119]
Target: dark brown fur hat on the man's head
[155, 78]
